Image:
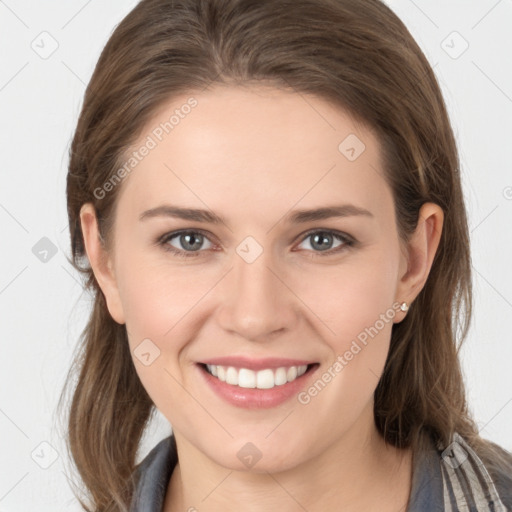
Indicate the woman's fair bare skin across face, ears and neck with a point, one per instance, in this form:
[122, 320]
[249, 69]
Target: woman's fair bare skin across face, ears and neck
[252, 155]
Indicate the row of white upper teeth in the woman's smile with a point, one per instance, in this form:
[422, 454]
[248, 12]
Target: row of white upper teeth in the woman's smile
[262, 379]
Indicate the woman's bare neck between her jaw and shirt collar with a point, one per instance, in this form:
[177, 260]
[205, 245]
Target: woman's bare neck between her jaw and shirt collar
[359, 472]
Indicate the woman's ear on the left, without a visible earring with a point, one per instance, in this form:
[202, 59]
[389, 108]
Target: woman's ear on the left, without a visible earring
[101, 262]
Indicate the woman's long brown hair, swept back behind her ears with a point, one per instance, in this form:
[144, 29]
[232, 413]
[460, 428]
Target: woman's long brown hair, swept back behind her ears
[354, 53]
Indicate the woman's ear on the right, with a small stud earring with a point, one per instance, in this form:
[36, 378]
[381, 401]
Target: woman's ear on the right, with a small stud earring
[419, 254]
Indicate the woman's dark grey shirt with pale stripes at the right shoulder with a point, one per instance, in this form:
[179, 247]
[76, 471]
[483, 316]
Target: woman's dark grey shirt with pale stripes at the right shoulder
[453, 479]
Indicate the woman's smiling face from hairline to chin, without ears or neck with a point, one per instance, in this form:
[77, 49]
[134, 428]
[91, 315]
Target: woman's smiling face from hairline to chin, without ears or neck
[265, 282]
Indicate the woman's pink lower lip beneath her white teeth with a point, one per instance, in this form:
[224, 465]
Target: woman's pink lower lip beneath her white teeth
[254, 398]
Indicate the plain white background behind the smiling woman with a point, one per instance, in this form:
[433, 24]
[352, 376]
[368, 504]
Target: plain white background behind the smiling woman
[43, 308]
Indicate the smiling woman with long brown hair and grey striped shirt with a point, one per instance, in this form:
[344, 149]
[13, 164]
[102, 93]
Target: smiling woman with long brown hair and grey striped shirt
[222, 147]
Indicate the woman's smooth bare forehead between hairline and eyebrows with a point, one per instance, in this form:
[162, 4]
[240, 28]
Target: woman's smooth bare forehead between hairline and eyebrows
[254, 148]
